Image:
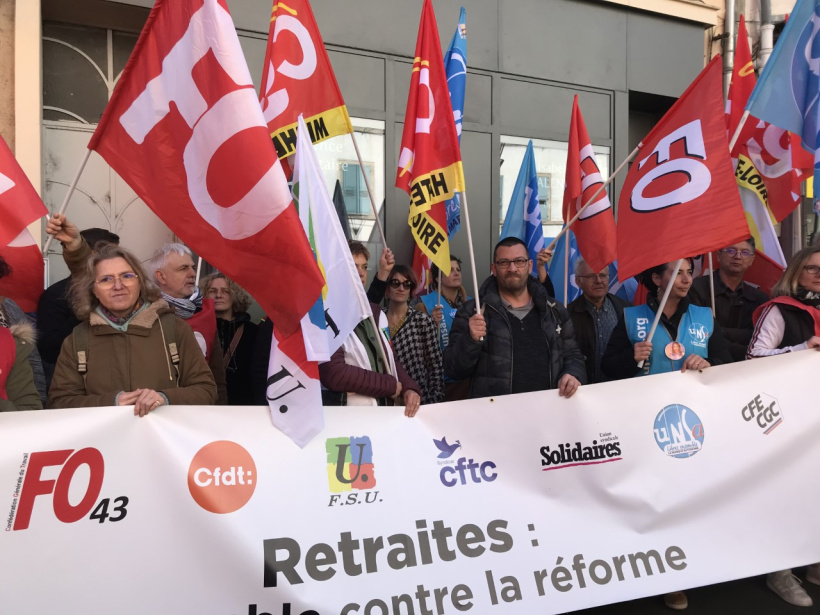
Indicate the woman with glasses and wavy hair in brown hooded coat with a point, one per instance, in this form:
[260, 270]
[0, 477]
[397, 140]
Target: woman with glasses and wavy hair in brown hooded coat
[129, 349]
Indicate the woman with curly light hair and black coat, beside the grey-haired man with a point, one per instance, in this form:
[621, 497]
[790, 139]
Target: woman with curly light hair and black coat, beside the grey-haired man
[236, 333]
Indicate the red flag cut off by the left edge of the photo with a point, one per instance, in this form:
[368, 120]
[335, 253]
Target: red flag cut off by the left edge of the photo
[19, 206]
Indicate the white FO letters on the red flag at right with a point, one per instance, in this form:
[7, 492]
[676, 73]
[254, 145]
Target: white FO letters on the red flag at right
[675, 179]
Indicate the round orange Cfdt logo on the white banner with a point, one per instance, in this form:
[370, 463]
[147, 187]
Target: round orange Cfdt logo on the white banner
[222, 477]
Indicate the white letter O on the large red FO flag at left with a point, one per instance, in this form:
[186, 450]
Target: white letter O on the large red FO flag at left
[256, 209]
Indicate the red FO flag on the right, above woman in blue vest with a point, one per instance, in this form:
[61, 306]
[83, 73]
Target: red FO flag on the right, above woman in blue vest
[680, 198]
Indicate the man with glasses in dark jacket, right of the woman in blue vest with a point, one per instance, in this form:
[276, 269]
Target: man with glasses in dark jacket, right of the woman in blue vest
[735, 300]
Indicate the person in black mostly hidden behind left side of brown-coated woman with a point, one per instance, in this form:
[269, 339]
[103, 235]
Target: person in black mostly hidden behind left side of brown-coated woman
[55, 320]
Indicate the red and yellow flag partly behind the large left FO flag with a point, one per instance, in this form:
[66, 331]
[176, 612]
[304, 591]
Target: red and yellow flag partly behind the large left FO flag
[297, 78]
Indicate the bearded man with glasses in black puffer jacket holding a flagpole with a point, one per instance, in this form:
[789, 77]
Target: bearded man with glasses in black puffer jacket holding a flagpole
[523, 342]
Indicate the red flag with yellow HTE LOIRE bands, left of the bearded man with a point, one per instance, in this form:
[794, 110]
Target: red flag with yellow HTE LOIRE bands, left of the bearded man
[430, 168]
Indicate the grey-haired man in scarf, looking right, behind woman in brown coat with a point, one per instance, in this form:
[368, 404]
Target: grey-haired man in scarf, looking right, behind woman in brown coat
[175, 274]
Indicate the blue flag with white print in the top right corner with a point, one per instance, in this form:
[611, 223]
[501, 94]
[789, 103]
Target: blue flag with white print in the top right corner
[788, 90]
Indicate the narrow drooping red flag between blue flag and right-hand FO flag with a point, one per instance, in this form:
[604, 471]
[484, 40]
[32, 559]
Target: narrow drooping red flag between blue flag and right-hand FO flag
[595, 229]
